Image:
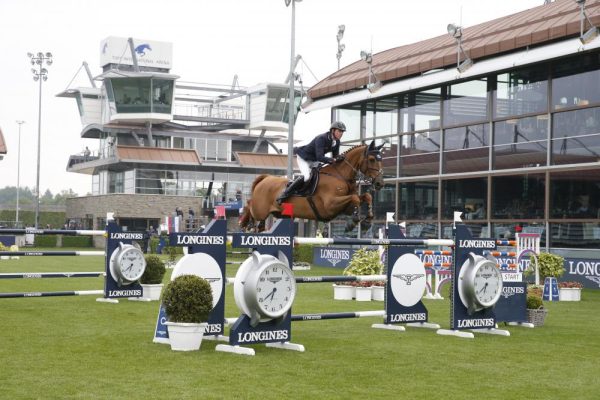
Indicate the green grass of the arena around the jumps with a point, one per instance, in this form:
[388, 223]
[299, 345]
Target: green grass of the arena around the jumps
[76, 348]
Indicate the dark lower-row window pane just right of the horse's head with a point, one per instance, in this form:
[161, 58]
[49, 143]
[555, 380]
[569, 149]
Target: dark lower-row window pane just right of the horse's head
[418, 200]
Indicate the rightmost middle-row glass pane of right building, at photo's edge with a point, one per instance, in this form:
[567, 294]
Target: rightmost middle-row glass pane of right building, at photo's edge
[576, 136]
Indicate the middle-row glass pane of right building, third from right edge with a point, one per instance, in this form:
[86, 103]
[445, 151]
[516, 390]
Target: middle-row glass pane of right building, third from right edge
[466, 149]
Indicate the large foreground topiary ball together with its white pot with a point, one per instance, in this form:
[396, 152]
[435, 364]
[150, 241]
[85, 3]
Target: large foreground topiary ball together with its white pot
[188, 302]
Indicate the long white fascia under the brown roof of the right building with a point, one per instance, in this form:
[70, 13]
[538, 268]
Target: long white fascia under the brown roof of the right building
[479, 68]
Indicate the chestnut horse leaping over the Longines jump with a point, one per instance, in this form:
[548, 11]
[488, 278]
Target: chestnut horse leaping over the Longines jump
[336, 192]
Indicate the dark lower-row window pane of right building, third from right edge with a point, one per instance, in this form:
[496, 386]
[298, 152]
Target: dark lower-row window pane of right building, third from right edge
[466, 195]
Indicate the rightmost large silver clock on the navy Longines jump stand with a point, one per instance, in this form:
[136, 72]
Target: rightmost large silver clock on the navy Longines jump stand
[479, 283]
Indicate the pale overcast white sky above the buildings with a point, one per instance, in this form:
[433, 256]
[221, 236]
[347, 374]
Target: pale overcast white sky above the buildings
[212, 42]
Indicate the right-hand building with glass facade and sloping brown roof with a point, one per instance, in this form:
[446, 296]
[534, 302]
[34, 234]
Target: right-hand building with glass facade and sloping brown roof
[513, 141]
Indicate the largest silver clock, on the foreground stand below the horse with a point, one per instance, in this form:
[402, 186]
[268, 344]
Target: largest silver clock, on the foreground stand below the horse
[264, 287]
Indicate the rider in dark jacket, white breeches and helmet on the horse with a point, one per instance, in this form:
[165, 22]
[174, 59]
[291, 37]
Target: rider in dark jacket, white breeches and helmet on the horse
[315, 151]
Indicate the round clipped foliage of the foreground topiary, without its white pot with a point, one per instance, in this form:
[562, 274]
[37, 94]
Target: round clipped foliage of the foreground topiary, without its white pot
[188, 298]
